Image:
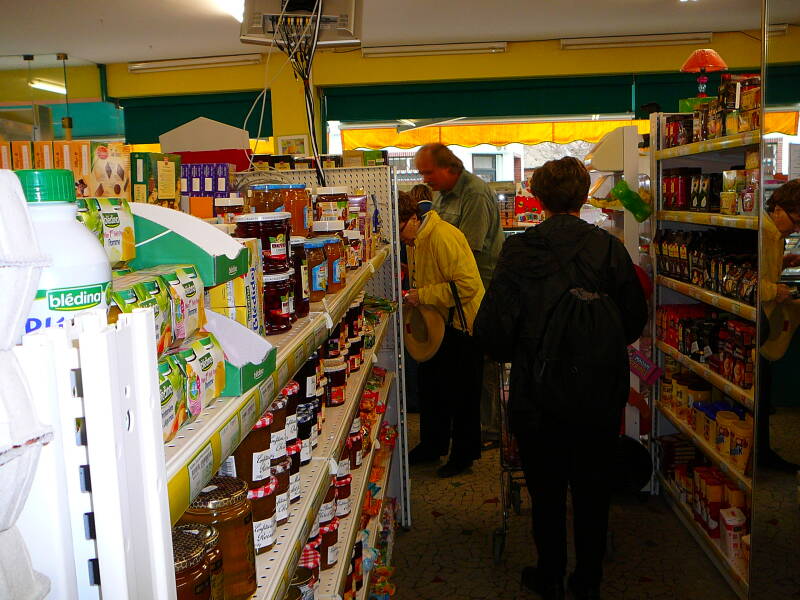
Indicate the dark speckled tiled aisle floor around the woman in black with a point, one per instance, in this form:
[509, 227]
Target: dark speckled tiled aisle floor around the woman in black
[447, 554]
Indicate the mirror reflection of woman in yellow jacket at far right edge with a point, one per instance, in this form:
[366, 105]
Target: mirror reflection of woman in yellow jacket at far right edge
[781, 219]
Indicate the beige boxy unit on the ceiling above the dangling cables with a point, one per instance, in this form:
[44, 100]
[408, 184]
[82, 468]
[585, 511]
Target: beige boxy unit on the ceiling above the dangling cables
[340, 26]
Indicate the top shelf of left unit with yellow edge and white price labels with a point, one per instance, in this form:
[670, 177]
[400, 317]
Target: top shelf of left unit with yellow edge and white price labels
[200, 448]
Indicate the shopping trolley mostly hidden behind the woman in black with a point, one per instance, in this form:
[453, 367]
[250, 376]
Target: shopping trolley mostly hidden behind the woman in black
[511, 477]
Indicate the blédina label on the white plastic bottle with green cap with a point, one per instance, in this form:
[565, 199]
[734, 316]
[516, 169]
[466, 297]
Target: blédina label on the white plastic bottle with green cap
[52, 308]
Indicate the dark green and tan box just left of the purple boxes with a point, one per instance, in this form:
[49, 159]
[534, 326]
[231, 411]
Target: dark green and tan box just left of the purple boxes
[156, 178]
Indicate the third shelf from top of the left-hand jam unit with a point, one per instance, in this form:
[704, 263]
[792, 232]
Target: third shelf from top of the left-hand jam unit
[332, 581]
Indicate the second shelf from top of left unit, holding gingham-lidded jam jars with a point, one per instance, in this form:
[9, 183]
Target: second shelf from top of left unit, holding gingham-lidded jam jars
[274, 569]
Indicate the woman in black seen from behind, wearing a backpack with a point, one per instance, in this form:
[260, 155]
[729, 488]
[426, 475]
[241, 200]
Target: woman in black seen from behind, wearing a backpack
[564, 303]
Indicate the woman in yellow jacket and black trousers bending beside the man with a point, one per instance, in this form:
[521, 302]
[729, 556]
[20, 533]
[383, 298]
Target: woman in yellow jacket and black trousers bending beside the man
[450, 382]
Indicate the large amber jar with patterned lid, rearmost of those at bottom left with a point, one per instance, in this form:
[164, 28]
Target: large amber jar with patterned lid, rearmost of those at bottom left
[223, 503]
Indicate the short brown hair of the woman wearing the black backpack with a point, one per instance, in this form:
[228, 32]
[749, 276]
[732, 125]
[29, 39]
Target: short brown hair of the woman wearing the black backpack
[562, 185]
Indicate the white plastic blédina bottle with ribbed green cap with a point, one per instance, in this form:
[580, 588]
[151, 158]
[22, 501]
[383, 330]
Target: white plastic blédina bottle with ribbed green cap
[79, 273]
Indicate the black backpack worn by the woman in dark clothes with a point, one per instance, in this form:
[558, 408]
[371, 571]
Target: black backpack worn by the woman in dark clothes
[581, 367]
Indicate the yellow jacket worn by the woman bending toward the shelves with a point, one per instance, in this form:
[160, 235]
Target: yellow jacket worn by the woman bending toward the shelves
[441, 254]
